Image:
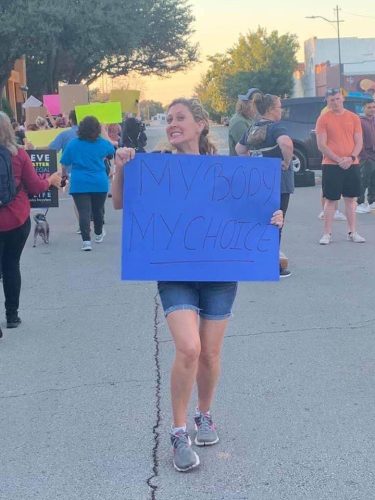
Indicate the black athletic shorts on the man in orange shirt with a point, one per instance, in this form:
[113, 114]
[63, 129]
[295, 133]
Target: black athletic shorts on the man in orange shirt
[337, 182]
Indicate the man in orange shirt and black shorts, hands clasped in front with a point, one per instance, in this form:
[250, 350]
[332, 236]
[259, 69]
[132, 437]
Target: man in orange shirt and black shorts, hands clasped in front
[339, 137]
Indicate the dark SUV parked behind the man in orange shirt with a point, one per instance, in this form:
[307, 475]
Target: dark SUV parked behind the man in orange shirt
[299, 117]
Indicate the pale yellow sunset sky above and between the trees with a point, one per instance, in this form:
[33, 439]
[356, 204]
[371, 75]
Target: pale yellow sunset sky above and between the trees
[219, 24]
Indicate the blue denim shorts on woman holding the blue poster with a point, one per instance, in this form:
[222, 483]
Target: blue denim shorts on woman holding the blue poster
[211, 300]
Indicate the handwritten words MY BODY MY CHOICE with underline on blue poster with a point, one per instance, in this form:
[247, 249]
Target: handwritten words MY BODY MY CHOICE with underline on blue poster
[201, 204]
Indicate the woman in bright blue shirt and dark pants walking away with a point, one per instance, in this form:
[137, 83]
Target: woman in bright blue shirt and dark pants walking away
[89, 180]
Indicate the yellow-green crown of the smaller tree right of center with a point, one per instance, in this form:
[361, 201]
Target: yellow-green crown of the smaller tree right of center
[256, 60]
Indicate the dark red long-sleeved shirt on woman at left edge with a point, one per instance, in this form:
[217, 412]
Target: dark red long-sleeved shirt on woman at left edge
[17, 211]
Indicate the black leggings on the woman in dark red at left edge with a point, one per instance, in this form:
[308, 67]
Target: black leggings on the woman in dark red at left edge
[11, 245]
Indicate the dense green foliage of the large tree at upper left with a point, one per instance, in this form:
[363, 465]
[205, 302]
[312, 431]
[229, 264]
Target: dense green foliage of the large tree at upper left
[75, 40]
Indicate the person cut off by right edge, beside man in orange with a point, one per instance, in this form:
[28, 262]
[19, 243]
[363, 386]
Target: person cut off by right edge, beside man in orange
[367, 160]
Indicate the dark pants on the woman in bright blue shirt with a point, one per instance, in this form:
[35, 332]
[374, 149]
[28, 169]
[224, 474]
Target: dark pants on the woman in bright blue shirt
[87, 204]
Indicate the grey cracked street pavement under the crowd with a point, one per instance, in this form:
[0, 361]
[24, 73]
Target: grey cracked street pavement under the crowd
[84, 381]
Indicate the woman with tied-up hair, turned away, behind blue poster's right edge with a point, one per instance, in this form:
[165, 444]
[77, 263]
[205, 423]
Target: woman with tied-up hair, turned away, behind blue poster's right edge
[268, 138]
